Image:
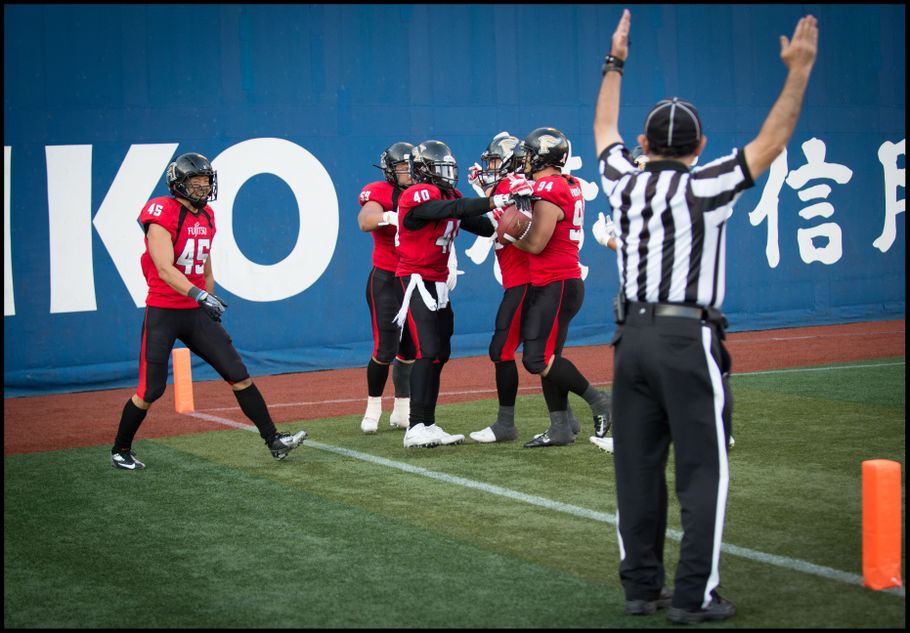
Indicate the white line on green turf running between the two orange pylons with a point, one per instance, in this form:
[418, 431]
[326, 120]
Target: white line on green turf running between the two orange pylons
[566, 508]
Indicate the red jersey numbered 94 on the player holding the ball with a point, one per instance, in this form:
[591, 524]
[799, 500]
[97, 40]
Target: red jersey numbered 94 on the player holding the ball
[559, 258]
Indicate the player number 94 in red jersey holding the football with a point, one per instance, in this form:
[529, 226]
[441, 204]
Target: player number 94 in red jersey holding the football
[557, 290]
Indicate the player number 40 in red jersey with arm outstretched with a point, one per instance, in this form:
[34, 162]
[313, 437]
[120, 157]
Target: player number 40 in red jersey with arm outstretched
[430, 214]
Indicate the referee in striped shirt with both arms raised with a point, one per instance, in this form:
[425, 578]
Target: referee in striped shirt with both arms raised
[669, 358]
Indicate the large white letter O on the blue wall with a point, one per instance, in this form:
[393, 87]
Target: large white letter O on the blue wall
[317, 204]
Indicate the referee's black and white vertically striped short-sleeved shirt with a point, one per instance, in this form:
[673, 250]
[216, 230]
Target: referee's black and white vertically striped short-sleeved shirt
[670, 220]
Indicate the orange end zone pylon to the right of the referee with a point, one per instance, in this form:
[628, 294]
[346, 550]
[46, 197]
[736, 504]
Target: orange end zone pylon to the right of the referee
[881, 524]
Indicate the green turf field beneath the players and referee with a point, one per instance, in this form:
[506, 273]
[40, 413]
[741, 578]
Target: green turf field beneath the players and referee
[355, 531]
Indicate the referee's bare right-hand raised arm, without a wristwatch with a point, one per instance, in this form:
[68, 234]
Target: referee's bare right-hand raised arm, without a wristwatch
[799, 56]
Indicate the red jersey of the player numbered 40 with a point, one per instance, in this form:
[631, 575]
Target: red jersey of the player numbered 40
[426, 250]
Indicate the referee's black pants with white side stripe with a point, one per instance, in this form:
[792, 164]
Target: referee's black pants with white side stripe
[668, 385]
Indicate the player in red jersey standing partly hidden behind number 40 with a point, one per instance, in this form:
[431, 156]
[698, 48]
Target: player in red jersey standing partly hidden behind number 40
[379, 215]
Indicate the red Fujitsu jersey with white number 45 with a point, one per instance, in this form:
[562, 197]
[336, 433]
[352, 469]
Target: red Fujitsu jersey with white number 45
[191, 248]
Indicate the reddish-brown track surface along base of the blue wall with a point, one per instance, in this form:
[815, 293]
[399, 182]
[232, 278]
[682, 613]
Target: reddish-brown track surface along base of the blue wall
[86, 419]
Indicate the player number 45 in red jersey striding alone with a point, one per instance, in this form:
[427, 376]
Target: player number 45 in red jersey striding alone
[179, 230]
